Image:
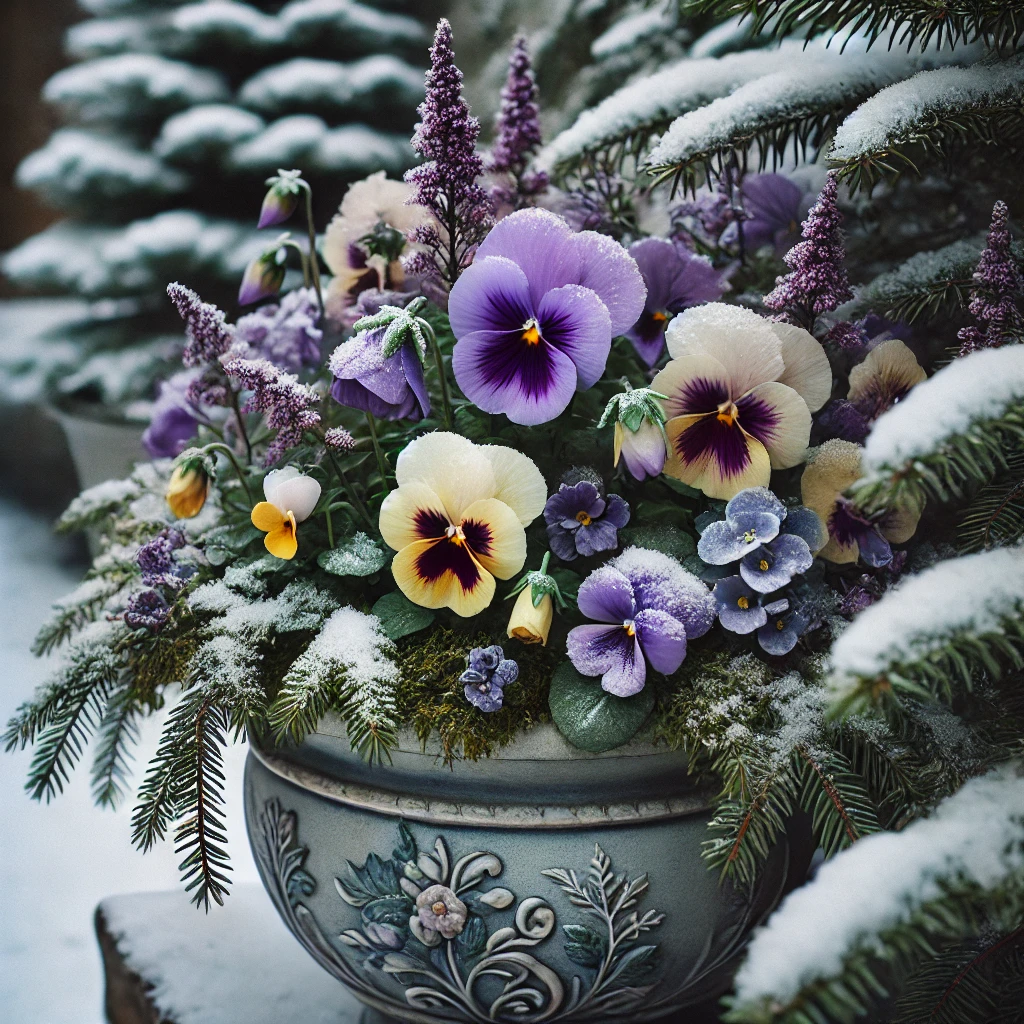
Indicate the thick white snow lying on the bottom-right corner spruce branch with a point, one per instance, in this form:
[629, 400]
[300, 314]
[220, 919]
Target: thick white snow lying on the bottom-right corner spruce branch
[880, 885]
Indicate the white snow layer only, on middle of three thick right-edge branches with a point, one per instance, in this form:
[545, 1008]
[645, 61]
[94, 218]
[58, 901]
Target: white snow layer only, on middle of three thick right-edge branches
[974, 594]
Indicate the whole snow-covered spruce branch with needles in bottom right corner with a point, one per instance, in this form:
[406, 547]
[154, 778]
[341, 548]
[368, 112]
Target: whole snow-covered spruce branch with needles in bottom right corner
[889, 902]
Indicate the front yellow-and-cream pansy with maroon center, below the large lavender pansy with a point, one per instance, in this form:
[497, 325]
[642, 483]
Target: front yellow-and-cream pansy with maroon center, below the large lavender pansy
[458, 520]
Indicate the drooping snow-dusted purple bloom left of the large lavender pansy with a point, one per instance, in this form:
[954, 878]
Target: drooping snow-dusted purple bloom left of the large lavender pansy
[391, 389]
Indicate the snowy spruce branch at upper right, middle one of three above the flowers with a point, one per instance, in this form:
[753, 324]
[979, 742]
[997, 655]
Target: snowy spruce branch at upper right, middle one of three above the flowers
[785, 113]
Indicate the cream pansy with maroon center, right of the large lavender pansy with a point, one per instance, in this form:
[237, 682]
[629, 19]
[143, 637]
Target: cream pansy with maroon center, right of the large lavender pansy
[741, 391]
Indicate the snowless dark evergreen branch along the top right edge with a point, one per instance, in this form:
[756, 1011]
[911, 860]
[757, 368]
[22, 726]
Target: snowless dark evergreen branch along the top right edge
[907, 23]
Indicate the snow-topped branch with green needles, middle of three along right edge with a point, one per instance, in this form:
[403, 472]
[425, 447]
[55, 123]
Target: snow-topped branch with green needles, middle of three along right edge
[959, 618]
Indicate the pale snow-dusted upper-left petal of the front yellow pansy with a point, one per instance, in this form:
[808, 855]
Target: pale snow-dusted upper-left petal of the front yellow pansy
[455, 470]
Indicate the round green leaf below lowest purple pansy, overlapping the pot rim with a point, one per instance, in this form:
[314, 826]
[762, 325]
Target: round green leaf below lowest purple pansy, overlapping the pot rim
[591, 719]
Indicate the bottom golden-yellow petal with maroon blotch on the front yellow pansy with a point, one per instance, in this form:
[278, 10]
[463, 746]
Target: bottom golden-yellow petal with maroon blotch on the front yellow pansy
[444, 575]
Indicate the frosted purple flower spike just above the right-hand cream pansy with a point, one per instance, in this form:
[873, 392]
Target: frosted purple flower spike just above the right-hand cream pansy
[818, 282]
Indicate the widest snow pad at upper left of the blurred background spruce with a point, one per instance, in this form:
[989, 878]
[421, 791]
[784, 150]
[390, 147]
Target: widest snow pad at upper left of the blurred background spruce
[133, 87]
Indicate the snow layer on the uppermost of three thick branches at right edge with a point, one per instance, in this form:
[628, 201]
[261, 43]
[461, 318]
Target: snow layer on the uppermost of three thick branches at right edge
[980, 387]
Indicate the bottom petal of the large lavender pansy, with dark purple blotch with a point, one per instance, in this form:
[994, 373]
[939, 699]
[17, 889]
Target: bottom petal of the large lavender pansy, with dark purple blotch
[494, 373]
